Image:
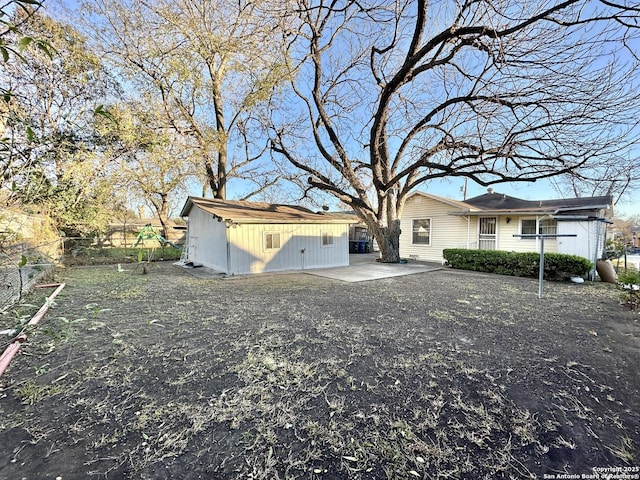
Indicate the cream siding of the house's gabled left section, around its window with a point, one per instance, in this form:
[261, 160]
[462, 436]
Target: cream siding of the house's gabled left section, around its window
[447, 231]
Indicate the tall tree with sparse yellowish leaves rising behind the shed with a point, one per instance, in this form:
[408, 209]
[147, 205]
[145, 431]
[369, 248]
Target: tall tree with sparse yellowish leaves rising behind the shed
[208, 64]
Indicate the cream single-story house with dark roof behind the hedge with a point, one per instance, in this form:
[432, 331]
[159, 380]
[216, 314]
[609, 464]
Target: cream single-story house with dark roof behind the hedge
[493, 221]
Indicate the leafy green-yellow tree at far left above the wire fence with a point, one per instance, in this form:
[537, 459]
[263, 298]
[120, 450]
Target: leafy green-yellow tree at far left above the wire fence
[52, 160]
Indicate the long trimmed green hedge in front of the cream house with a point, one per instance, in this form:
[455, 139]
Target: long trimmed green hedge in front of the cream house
[557, 266]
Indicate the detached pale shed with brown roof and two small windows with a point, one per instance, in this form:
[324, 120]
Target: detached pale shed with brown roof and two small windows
[239, 237]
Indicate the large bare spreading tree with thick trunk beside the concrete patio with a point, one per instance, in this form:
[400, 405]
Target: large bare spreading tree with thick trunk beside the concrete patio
[393, 94]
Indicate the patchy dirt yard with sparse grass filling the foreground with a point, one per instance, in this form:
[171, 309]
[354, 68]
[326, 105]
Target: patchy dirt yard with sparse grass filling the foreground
[444, 374]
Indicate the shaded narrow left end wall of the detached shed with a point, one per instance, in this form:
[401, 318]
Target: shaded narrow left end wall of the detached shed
[206, 240]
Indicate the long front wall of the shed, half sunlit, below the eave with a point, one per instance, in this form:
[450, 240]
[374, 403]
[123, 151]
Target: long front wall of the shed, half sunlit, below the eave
[249, 252]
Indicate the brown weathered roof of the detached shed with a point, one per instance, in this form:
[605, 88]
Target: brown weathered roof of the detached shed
[236, 211]
